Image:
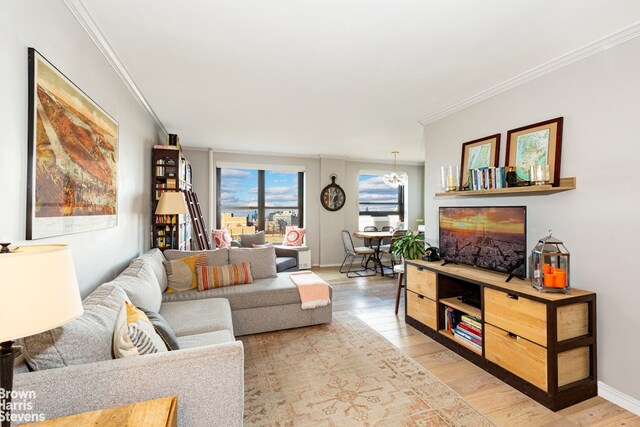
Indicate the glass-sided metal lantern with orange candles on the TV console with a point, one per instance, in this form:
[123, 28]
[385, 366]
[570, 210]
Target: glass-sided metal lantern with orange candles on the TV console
[550, 265]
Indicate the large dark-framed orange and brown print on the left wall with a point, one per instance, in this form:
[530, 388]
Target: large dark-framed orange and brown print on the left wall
[72, 157]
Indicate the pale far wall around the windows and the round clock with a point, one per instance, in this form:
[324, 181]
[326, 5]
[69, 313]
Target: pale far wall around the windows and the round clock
[323, 227]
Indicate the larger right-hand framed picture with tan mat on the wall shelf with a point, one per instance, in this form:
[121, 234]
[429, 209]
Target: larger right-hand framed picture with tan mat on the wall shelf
[536, 144]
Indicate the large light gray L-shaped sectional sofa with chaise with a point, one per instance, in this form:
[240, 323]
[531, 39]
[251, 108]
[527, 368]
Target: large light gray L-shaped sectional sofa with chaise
[75, 373]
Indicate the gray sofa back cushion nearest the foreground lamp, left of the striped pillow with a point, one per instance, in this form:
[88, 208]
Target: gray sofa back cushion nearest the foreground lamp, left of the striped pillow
[93, 330]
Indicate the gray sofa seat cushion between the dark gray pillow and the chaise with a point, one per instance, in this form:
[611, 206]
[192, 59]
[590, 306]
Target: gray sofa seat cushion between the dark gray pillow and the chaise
[199, 316]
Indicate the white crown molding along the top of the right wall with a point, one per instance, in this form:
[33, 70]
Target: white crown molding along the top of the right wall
[593, 48]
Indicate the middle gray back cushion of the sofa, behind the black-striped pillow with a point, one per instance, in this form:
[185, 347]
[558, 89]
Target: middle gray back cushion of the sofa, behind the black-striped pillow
[141, 285]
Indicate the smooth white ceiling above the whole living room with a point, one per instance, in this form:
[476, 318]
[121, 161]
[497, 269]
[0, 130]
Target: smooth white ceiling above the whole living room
[347, 78]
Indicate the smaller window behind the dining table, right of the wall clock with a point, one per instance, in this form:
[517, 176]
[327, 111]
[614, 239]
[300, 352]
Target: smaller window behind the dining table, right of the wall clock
[379, 199]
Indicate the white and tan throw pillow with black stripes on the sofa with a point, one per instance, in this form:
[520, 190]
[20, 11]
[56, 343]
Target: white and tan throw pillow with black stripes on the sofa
[134, 334]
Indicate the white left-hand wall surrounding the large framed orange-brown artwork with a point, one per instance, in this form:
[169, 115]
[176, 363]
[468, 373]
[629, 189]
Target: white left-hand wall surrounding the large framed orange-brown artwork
[50, 28]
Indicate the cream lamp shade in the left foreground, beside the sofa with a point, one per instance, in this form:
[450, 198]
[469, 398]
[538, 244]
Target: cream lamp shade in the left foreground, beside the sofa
[38, 290]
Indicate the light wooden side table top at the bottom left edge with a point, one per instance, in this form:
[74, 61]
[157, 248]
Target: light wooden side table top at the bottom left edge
[161, 412]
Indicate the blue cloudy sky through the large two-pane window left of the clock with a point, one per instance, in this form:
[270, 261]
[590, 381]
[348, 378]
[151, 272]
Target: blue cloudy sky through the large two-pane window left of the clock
[239, 187]
